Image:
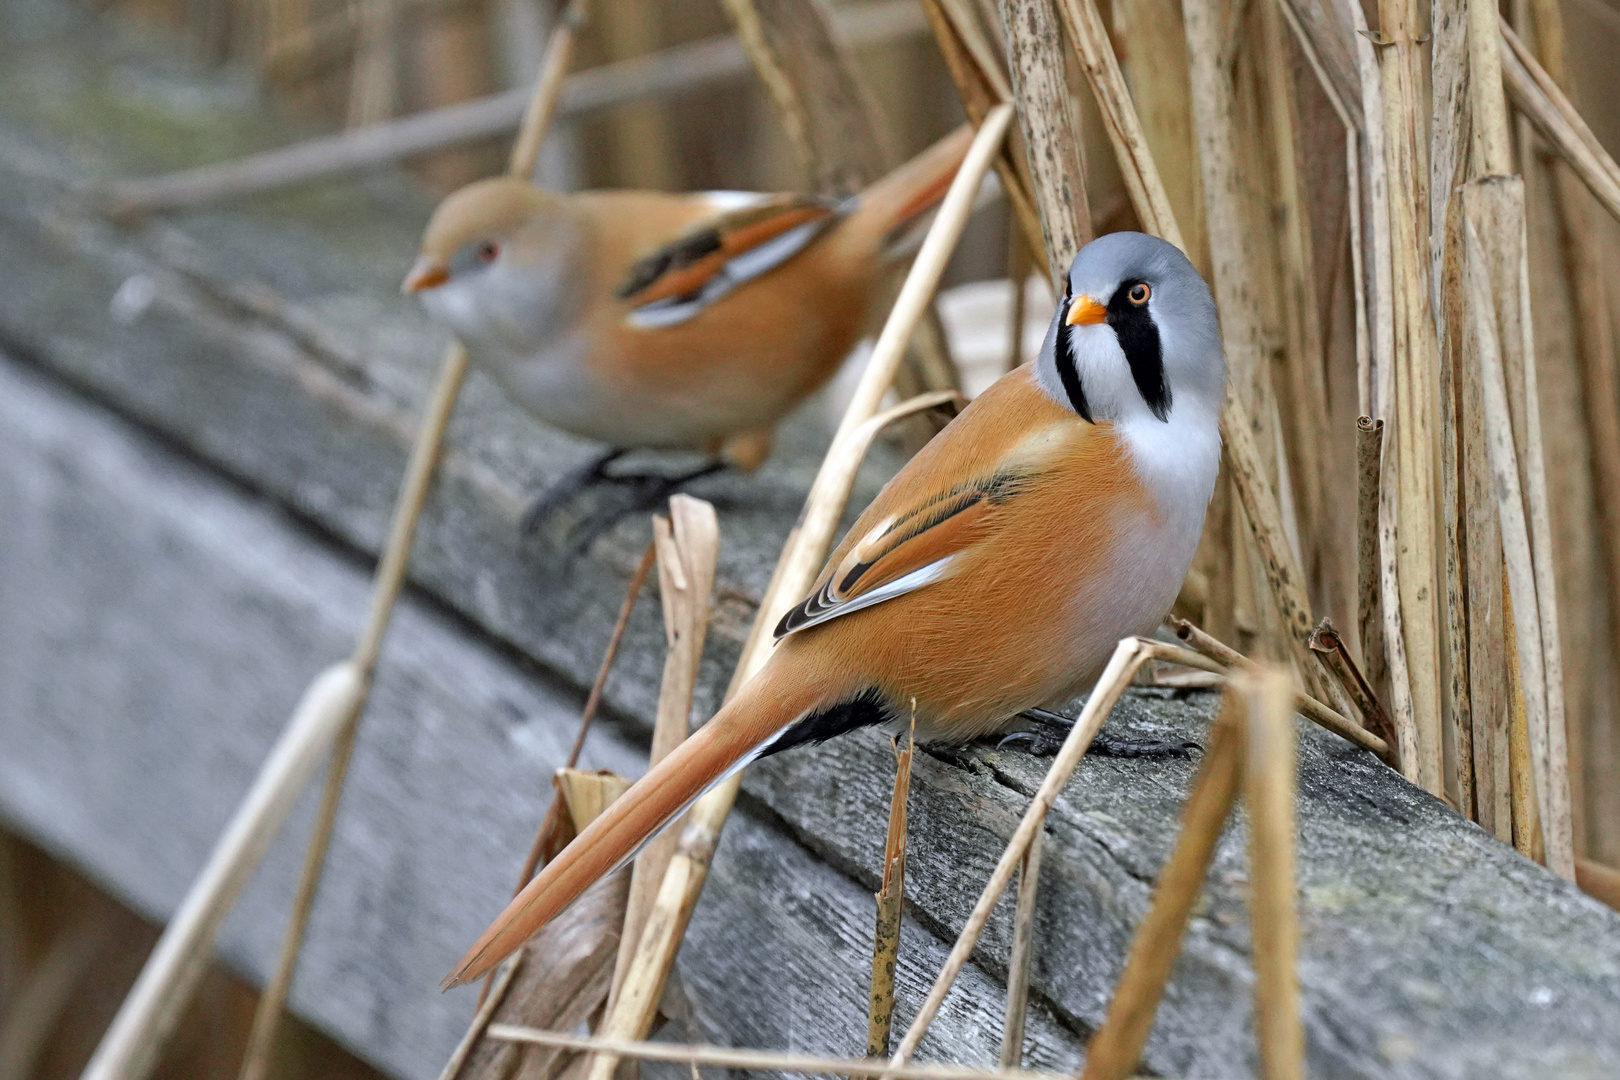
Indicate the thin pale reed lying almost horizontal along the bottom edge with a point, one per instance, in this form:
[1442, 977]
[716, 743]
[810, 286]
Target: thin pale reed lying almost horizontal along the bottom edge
[757, 1060]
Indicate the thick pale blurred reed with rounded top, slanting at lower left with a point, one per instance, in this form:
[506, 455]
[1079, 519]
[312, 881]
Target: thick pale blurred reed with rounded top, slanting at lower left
[150, 1013]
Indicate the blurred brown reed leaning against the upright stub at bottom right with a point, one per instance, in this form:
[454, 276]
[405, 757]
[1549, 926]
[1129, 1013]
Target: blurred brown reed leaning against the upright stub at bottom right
[1117, 1048]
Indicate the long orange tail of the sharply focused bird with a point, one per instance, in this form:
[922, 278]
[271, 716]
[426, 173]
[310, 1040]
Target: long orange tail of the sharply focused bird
[752, 718]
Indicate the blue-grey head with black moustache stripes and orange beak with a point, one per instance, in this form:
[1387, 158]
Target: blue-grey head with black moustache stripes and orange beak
[1135, 334]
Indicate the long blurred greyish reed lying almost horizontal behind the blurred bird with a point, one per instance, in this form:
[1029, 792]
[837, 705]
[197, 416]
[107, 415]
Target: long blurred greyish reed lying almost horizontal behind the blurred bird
[663, 74]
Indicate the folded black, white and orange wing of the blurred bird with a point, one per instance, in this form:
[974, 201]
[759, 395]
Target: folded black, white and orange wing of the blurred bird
[715, 257]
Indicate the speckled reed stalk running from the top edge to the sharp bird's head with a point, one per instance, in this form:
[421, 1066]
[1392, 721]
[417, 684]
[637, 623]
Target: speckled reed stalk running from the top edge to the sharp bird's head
[1051, 132]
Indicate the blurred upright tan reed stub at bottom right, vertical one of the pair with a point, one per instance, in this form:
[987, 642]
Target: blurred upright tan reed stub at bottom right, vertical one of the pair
[1269, 791]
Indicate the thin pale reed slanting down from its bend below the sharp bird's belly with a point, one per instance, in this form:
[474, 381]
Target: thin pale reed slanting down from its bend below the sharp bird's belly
[1127, 660]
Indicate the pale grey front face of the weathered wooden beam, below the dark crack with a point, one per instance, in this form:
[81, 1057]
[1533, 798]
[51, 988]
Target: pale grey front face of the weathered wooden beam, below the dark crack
[156, 624]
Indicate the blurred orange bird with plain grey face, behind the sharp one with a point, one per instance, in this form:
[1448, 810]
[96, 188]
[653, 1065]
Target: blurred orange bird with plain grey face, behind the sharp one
[665, 321]
